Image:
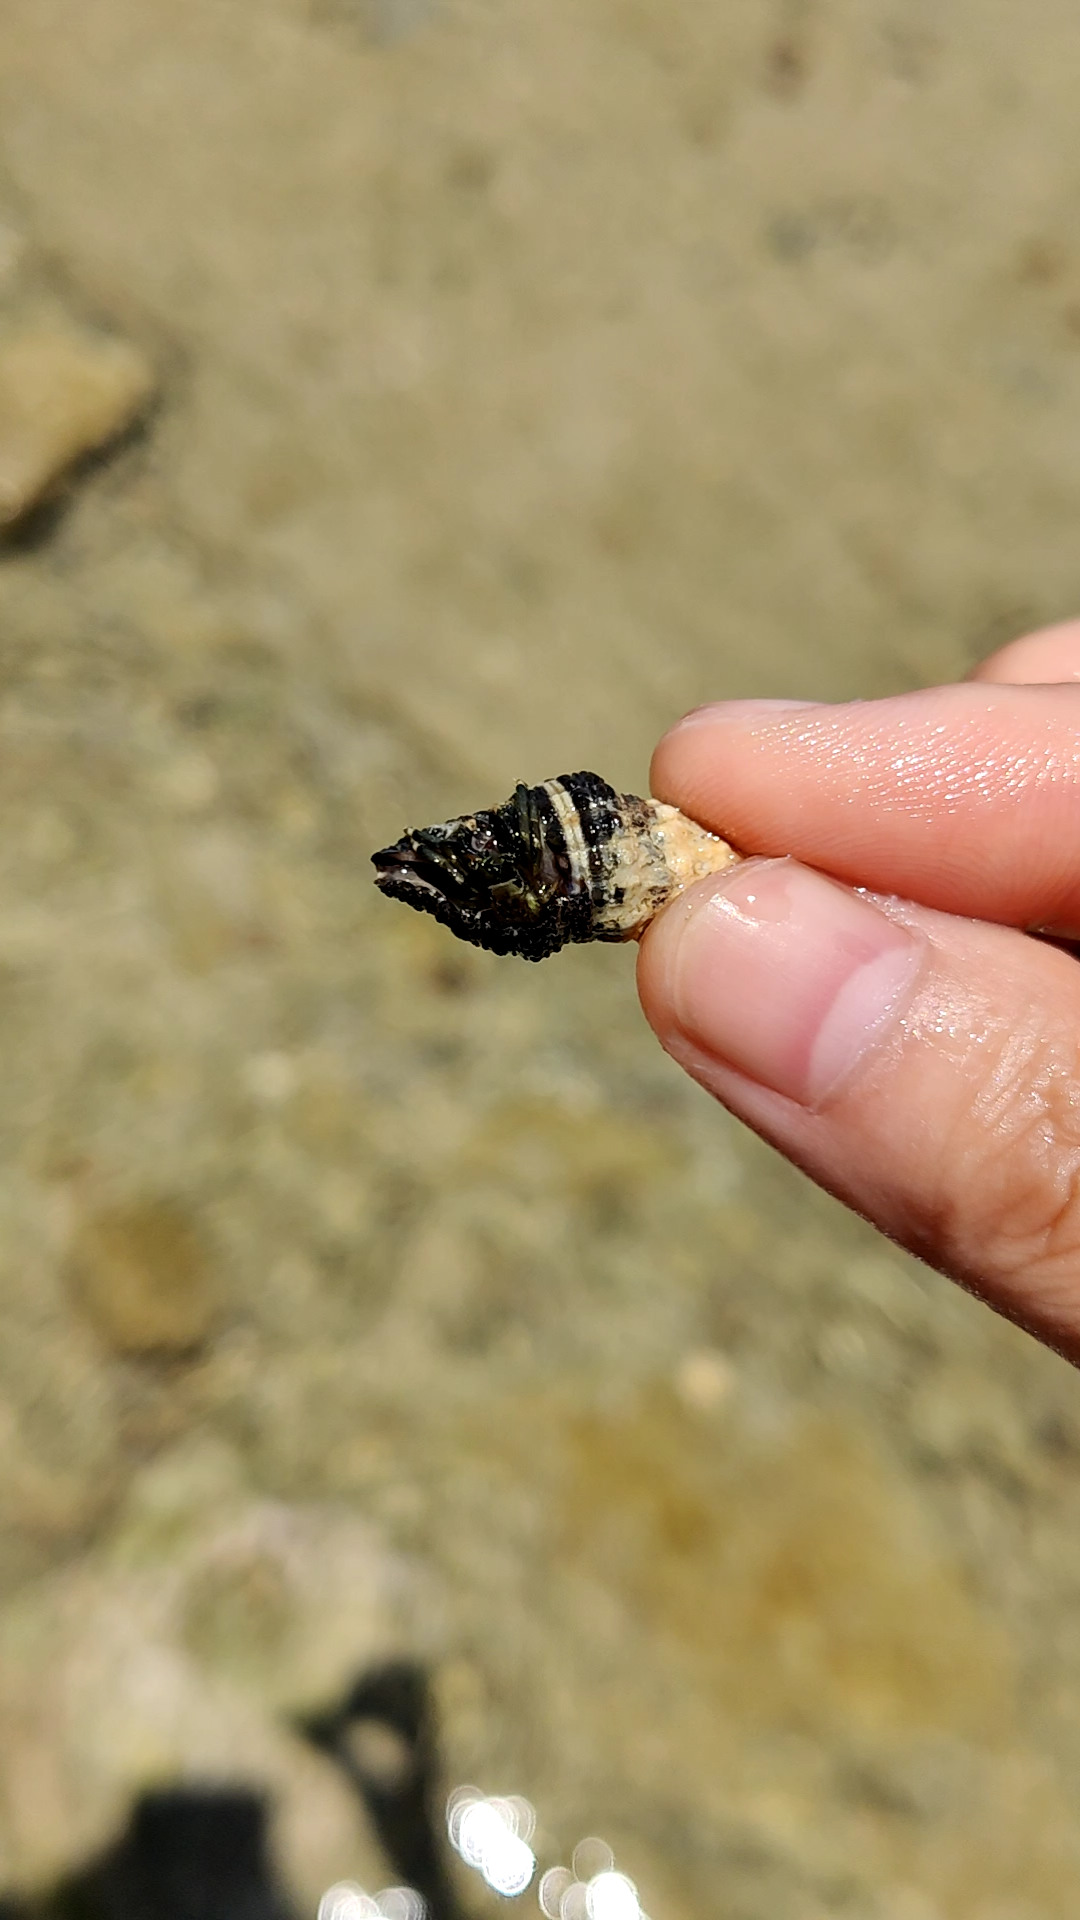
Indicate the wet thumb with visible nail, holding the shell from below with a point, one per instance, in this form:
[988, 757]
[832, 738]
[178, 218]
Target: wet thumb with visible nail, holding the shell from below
[920, 1067]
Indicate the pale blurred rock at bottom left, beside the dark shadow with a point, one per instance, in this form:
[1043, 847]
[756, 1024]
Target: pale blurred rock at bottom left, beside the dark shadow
[184, 1650]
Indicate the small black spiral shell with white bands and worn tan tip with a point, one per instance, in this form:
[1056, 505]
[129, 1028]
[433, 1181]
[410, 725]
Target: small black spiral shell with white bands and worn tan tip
[560, 863]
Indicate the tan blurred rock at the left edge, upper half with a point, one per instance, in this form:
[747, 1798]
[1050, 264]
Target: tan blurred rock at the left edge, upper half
[66, 393]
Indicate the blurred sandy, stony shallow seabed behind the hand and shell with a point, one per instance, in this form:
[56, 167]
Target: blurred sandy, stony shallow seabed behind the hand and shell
[522, 375]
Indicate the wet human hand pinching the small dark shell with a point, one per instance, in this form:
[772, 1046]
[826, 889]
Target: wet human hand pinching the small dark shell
[895, 1030]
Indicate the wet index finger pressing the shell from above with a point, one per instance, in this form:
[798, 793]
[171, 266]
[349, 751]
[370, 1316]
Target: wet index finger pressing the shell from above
[962, 798]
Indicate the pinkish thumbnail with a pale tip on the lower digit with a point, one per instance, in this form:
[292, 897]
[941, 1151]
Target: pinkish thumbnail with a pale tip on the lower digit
[787, 976]
